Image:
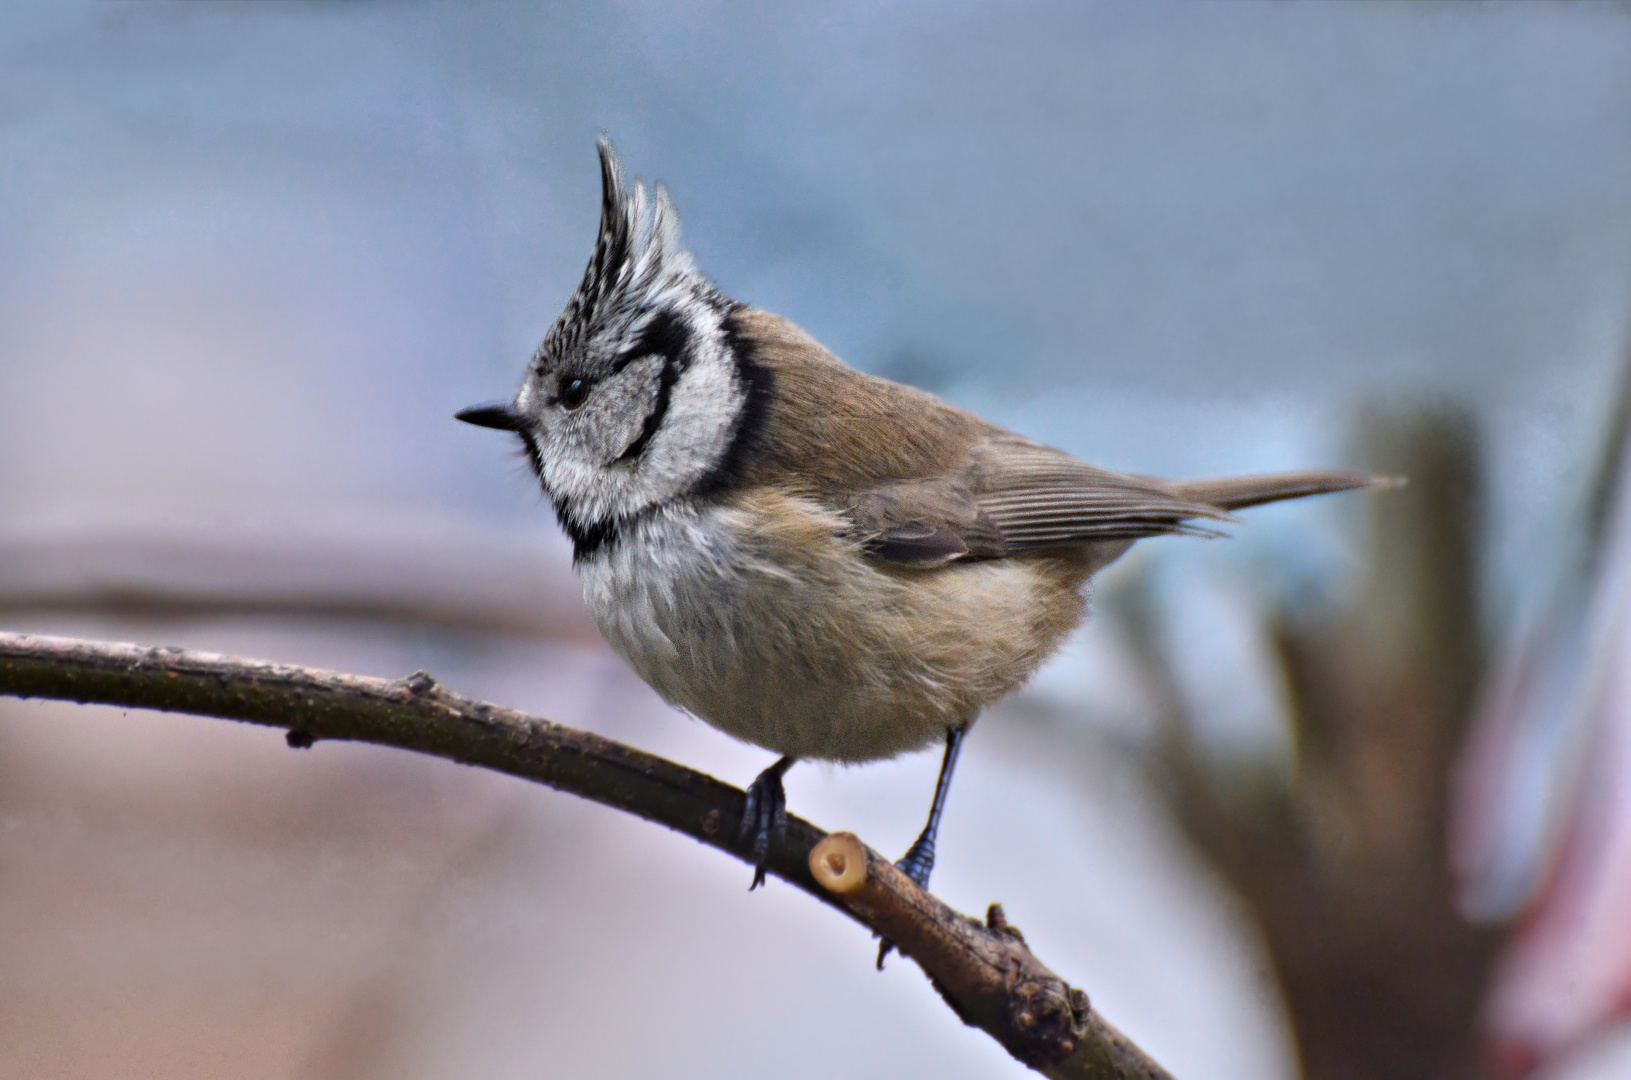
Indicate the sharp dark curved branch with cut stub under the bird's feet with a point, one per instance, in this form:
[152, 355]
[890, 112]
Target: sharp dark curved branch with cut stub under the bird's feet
[984, 972]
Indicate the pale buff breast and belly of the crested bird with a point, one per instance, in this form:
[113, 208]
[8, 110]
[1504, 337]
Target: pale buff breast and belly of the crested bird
[764, 621]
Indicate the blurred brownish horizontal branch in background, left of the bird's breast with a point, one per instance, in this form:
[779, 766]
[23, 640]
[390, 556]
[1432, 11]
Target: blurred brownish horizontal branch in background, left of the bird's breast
[427, 573]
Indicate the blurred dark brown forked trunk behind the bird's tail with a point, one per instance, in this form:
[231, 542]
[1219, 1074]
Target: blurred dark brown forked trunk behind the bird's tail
[1346, 862]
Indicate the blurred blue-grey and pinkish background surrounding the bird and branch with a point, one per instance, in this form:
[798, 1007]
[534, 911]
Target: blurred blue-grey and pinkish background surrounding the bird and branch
[254, 257]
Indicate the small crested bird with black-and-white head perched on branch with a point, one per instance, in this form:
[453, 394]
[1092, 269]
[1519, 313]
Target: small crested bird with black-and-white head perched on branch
[815, 560]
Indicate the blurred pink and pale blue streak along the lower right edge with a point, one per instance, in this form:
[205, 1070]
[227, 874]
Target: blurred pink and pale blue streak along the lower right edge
[1567, 976]
